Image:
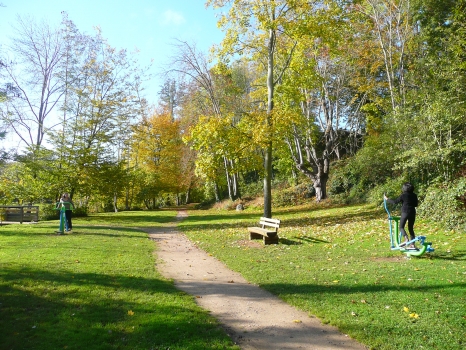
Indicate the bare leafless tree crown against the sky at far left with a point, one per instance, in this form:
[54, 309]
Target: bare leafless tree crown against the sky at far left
[33, 72]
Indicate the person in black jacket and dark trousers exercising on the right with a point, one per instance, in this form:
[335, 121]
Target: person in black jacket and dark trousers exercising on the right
[408, 211]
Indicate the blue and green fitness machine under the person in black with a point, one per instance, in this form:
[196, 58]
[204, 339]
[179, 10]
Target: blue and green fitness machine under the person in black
[395, 237]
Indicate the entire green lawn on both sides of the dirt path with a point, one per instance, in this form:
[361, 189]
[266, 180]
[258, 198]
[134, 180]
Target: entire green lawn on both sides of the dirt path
[98, 288]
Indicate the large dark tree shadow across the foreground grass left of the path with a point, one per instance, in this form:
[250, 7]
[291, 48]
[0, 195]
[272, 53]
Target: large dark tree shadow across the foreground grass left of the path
[55, 310]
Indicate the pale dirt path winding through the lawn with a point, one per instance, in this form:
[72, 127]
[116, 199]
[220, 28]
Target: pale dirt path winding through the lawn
[254, 318]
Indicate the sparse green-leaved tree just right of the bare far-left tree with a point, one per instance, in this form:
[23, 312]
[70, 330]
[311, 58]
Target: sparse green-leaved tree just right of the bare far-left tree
[102, 103]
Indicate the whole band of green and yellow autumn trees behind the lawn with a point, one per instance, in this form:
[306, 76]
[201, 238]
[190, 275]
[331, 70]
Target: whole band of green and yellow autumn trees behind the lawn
[348, 98]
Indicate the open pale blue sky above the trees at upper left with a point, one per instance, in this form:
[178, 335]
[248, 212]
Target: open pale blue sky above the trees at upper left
[148, 25]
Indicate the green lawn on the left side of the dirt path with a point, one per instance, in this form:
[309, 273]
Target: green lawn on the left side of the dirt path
[96, 288]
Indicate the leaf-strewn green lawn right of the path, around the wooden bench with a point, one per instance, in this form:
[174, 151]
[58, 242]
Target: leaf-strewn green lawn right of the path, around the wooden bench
[336, 263]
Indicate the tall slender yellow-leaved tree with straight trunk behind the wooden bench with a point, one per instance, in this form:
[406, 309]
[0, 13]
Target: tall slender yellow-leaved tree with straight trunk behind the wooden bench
[259, 29]
